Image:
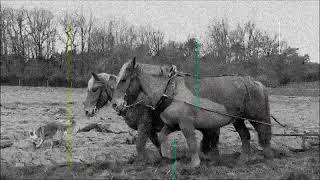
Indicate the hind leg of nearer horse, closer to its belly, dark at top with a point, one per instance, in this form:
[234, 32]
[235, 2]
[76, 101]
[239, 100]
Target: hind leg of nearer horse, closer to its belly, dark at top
[245, 139]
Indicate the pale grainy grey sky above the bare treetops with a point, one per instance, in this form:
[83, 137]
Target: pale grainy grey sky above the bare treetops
[299, 20]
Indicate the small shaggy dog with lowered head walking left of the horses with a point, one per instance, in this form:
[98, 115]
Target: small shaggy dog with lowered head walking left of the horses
[50, 131]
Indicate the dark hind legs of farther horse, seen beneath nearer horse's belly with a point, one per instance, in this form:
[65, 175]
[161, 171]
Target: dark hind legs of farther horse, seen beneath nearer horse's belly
[209, 142]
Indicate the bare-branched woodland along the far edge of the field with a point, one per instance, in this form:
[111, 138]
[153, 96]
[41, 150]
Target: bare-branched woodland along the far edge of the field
[34, 50]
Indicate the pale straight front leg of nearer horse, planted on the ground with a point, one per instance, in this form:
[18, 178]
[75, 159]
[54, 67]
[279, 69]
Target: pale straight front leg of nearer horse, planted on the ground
[188, 129]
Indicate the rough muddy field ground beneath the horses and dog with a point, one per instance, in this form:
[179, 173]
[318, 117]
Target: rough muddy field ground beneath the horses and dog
[109, 154]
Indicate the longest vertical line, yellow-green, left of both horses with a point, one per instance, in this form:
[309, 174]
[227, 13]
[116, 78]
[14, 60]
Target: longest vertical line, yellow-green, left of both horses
[69, 99]
